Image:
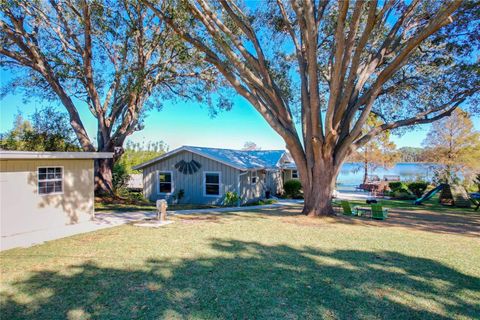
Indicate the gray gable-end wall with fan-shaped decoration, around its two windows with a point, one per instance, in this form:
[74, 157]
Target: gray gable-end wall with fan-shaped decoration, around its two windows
[192, 184]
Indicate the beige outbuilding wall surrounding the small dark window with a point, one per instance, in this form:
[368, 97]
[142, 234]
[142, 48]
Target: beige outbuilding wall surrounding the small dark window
[23, 209]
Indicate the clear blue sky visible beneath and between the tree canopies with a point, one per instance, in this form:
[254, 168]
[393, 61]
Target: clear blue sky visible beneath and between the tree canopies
[188, 123]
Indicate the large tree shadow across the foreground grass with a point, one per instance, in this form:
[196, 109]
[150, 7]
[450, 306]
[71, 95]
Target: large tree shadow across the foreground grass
[248, 280]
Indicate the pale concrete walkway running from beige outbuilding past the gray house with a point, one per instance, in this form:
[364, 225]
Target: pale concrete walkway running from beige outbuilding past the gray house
[109, 220]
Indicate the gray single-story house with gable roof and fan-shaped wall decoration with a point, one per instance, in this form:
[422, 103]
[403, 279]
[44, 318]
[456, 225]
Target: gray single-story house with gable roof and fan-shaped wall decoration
[204, 175]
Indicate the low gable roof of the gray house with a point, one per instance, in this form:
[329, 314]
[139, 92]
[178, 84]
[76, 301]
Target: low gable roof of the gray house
[238, 159]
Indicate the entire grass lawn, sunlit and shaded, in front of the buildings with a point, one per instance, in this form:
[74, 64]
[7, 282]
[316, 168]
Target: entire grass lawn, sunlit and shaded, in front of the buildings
[269, 264]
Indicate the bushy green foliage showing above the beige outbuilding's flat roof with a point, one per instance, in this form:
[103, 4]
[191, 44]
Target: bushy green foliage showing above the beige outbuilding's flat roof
[47, 130]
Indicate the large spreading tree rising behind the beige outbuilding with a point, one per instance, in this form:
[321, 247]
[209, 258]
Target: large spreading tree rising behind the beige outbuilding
[113, 58]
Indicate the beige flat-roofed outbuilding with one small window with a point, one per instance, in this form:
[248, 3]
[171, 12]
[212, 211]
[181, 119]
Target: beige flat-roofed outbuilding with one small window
[40, 190]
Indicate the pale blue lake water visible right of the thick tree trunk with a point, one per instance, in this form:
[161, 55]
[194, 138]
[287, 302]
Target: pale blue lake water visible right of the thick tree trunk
[351, 174]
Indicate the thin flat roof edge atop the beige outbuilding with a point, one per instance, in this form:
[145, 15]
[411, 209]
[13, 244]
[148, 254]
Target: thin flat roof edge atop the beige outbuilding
[9, 155]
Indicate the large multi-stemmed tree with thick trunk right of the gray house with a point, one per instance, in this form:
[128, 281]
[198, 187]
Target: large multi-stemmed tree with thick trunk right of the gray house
[329, 65]
